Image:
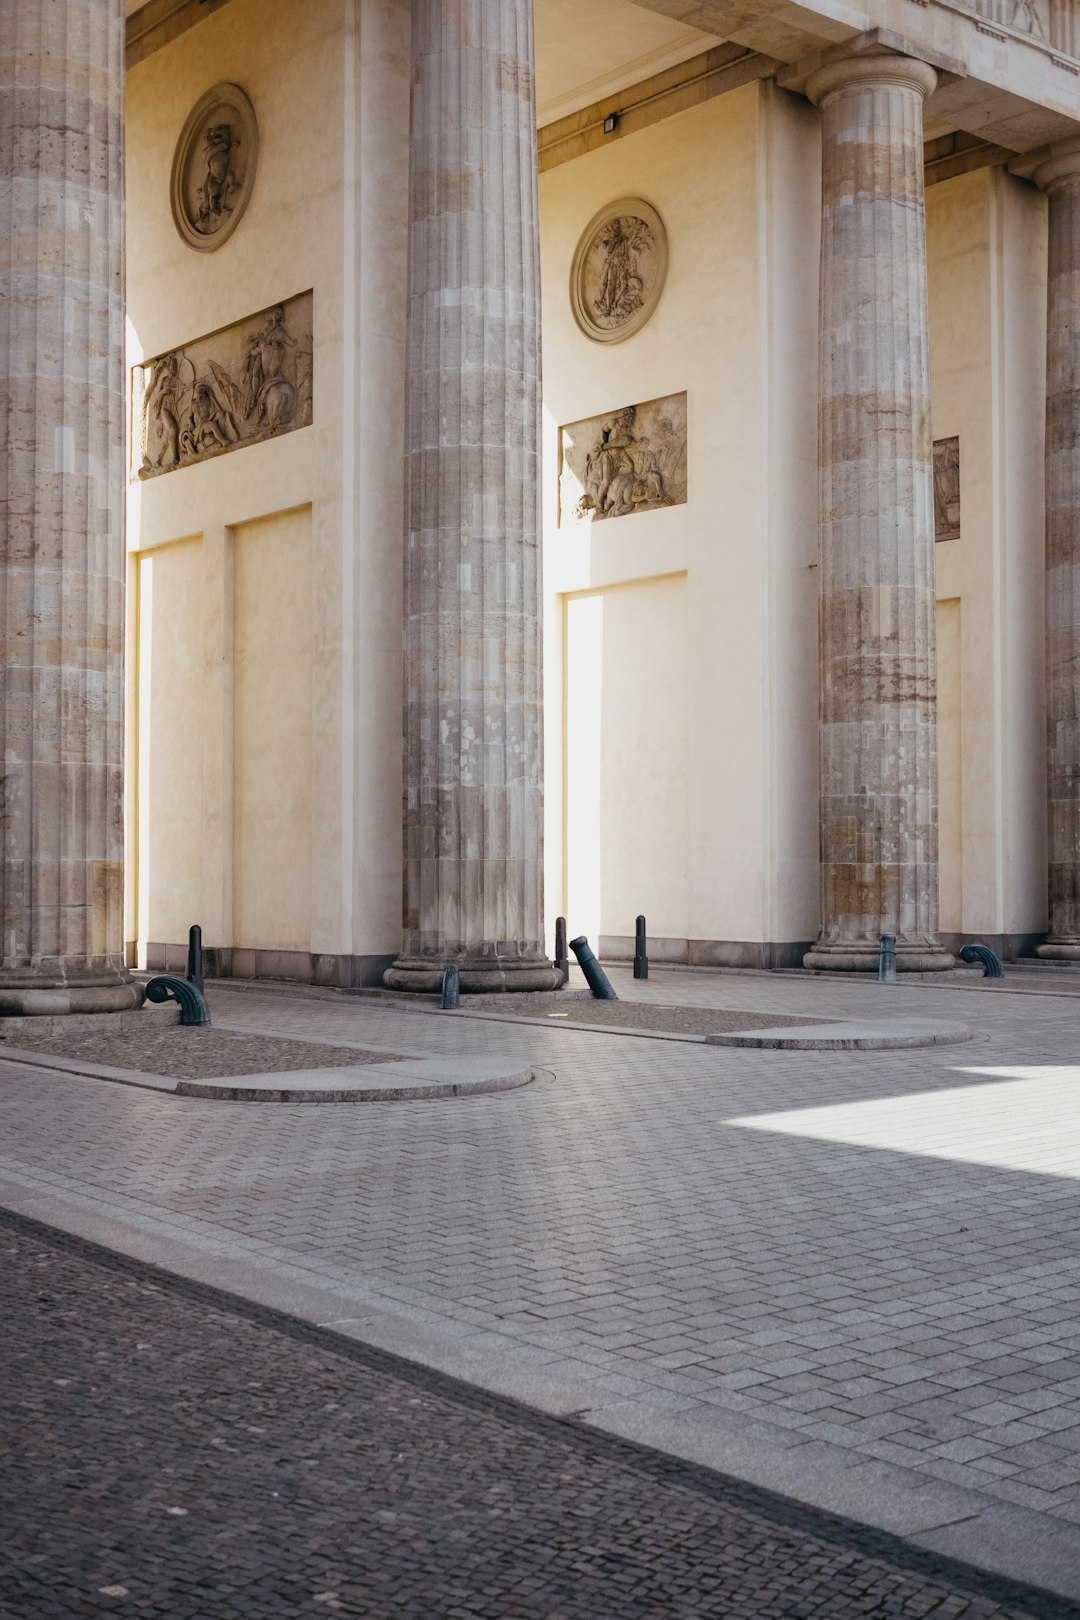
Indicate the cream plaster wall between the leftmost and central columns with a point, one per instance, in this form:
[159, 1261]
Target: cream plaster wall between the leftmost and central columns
[330, 83]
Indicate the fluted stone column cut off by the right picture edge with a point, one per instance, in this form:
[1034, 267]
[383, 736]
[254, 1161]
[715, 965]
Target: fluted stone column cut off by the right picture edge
[1060, 176]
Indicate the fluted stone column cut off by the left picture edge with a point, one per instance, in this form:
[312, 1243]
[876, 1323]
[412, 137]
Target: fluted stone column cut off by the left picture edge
[62, 506]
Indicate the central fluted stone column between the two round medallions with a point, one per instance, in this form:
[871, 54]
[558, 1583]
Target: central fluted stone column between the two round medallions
[474, 727]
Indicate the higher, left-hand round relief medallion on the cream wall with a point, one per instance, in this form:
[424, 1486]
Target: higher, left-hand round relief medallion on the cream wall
[215, 168]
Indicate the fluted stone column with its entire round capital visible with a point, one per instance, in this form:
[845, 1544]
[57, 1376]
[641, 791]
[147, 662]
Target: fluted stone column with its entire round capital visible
[877, 574]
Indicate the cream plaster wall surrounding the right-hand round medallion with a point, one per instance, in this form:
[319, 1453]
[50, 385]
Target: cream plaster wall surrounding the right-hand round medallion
[734, 675]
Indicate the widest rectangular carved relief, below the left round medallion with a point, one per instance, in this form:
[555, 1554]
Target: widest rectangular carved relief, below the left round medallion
[239, 386]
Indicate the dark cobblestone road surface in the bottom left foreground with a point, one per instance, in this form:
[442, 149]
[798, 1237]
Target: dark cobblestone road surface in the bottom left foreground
[174, 1454]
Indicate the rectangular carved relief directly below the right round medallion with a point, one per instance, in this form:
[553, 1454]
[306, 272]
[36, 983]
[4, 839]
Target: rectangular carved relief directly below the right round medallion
[631, 461]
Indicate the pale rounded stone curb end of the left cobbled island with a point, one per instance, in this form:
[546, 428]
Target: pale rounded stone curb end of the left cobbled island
[422, 1080]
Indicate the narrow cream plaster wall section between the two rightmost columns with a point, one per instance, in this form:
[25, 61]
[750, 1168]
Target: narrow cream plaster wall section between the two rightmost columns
[987, 247]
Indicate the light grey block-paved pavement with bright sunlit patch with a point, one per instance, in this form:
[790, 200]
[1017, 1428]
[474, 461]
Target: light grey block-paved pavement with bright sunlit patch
[849, 1276]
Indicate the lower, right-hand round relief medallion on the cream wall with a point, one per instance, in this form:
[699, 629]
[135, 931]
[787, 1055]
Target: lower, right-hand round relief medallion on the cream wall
[619, 270]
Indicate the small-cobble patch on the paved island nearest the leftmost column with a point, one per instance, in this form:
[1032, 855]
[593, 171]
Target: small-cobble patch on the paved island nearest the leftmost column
[193, 1054]
